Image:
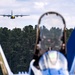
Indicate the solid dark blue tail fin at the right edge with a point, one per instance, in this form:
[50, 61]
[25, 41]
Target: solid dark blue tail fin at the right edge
[71, 49]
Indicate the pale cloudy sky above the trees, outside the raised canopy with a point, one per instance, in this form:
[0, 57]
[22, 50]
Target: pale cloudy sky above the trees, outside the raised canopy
[35, 8]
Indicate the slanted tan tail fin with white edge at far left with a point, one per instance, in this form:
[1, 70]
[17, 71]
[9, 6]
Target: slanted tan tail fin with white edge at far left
[4, 64]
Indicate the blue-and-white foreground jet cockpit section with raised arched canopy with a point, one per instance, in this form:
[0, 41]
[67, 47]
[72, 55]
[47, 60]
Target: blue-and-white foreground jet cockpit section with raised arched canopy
[48, 60]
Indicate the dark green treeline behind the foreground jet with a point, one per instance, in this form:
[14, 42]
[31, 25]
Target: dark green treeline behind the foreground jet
[18, 46]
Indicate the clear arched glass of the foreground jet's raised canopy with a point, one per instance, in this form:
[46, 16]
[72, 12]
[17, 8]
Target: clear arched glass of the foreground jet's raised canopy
[51, 27]
